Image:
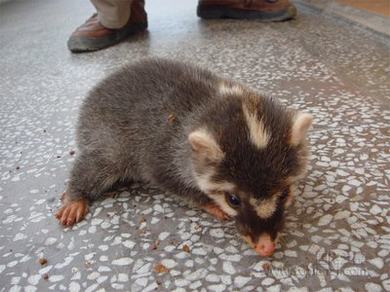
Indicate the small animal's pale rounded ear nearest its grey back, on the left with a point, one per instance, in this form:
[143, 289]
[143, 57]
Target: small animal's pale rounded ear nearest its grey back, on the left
[204, 145]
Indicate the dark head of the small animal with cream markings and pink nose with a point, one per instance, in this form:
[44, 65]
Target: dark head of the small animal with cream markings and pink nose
[248, 153]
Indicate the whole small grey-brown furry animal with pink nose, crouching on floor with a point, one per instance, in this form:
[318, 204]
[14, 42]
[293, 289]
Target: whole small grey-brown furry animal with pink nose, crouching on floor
[213, 141]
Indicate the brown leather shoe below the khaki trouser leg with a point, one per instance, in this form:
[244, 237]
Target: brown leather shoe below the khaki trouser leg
[93, 36]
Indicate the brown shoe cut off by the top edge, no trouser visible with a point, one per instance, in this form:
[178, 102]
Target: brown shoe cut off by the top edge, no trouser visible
[265, 10]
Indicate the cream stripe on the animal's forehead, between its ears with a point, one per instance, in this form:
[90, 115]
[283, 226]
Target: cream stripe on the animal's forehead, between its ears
[257, 132]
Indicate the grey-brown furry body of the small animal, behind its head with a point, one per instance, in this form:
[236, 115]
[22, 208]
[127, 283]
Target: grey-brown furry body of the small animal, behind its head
[124, 132]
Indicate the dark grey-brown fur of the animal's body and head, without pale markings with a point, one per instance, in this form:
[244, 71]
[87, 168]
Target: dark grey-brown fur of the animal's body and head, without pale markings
[135, 124]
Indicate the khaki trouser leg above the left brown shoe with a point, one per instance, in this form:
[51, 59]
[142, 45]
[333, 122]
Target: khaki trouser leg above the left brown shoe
[113, 13]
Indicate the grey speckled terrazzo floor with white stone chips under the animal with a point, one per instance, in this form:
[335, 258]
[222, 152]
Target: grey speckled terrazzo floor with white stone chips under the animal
[337, 233]
